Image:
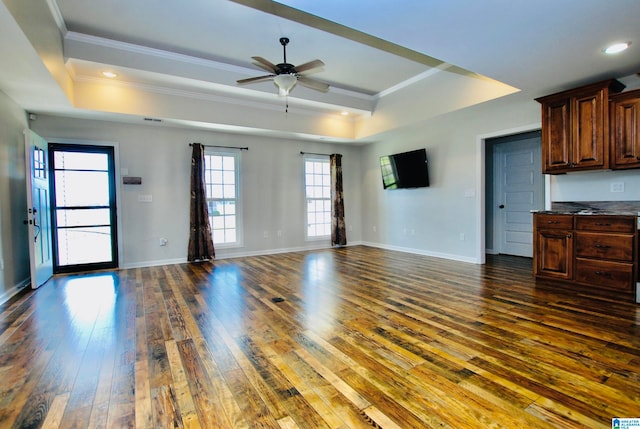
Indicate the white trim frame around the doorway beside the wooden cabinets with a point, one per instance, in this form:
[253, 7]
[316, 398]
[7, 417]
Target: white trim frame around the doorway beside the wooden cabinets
[481, 184]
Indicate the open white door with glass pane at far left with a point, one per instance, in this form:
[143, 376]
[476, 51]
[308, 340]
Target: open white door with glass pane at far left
[38, 208]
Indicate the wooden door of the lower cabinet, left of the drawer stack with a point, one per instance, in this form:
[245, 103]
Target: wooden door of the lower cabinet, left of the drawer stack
[554, 254]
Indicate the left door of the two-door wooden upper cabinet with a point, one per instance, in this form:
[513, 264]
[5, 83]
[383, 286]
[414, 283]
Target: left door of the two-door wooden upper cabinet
[556, 144]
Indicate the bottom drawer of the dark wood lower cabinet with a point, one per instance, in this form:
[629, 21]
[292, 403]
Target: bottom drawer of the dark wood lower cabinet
[608, 274]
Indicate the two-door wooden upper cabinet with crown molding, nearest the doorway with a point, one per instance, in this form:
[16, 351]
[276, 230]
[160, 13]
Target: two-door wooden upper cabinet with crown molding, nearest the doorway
[575, 128]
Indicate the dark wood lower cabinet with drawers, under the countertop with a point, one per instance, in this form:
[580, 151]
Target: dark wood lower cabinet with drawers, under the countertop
[598, 251]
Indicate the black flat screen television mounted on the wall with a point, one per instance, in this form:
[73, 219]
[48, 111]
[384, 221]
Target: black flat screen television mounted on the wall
[405, 170]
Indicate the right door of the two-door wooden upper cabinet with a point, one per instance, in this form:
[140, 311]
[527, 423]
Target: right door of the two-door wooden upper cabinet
[588, 131]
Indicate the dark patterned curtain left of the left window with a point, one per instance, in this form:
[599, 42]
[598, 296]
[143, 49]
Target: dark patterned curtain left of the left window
[200, 241]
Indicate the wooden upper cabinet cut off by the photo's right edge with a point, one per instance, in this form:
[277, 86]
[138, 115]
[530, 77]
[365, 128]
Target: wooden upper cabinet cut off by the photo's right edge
[625, 129]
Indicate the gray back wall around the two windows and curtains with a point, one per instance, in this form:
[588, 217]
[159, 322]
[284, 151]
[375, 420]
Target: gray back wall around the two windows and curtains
[271, 181]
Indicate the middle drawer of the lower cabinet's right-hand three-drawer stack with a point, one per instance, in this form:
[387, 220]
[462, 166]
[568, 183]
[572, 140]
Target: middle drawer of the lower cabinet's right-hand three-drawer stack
[604, 246]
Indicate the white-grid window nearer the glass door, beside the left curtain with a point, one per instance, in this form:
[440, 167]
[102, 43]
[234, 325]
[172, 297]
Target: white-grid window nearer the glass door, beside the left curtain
[221, 178]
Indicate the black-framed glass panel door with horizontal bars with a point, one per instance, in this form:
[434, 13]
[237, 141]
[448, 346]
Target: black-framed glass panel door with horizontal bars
[84, 207]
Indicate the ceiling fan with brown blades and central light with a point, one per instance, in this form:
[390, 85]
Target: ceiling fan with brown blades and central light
[286, 75]
